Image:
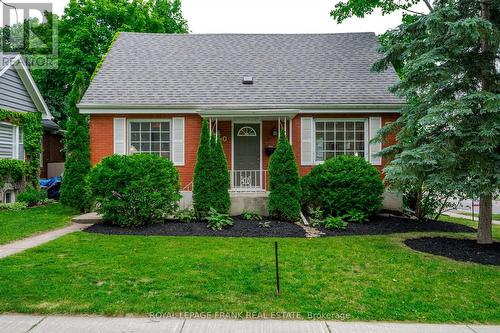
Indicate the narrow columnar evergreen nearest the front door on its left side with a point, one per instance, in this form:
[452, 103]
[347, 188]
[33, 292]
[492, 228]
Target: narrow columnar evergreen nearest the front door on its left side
[221, 200]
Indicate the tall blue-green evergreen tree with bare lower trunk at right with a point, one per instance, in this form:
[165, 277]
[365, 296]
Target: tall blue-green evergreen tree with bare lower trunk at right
[451, 125]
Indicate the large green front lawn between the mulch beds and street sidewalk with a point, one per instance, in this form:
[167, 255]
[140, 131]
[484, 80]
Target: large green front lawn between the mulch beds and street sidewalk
[365, 277]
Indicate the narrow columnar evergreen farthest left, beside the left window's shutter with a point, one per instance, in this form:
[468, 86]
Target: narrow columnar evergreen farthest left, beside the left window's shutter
[203, 176]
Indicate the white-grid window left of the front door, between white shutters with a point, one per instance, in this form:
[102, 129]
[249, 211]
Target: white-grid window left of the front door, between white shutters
[150, 137]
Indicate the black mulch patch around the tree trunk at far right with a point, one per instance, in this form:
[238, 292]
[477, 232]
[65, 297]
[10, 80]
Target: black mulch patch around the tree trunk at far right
[458, 249]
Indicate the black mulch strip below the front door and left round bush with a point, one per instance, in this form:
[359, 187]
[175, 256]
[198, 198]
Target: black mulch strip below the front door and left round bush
[240, 228]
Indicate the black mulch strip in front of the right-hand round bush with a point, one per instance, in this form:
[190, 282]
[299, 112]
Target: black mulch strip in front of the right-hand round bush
[387, 224]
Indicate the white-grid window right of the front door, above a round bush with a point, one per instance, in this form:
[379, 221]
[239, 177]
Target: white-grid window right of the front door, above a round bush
[340, 137]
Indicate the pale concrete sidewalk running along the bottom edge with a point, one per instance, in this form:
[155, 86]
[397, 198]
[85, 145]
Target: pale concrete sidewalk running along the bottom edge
[63, 324]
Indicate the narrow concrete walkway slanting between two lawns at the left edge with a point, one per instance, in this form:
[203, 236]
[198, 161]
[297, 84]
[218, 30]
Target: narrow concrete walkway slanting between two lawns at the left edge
[27, 243]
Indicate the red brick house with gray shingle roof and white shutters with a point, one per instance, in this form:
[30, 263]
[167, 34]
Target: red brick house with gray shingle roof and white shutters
[153, 90]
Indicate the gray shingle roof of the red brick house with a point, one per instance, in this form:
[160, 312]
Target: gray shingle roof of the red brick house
[168, 69]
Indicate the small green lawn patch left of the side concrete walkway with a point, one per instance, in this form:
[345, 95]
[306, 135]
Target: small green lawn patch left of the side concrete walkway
[20, 224]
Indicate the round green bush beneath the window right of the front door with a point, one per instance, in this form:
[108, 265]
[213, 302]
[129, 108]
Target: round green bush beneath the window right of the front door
[343, 184]
